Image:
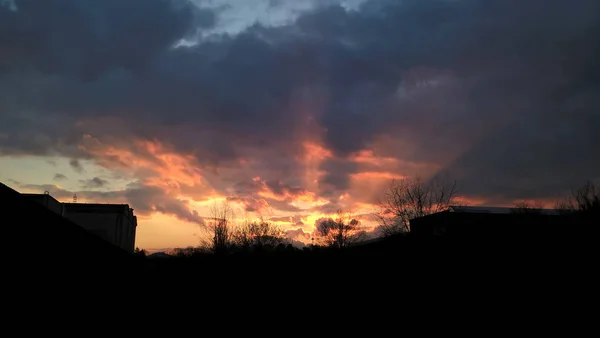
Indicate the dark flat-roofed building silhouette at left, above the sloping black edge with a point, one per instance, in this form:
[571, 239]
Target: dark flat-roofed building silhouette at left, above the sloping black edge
[115, 223]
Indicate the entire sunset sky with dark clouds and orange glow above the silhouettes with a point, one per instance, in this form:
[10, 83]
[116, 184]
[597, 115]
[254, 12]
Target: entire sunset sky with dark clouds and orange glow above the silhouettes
[293, 109]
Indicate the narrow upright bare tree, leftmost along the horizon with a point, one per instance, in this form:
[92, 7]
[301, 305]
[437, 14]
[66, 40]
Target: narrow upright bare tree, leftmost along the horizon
[220, 226]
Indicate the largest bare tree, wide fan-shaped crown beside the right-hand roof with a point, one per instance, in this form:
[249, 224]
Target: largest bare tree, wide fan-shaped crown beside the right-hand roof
[407, 198]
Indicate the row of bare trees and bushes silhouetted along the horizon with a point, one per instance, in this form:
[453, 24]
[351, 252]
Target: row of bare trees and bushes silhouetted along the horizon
[402, 201]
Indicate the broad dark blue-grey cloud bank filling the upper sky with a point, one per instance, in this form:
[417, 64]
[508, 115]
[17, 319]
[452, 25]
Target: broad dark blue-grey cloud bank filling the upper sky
[503, 94]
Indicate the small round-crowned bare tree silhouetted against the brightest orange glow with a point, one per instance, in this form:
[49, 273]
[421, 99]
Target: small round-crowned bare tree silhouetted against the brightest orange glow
[341, 232]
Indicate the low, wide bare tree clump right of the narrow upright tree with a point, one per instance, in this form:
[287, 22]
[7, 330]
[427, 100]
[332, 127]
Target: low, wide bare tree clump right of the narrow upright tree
[259, 235]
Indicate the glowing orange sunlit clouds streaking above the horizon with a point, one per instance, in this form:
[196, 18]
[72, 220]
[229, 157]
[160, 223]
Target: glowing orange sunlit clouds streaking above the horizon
[180, 177]
